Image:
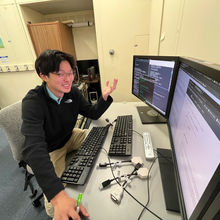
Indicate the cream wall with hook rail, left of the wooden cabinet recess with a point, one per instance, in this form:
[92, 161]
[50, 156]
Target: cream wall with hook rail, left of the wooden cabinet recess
[15, 84]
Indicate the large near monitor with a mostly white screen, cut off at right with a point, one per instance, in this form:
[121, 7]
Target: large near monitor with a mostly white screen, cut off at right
[194, 127]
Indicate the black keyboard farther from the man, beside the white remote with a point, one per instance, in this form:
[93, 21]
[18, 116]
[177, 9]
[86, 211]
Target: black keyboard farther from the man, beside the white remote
[121, 143]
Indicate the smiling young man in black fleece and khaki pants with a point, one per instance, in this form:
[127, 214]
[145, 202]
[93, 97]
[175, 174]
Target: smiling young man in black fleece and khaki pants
[49, 114]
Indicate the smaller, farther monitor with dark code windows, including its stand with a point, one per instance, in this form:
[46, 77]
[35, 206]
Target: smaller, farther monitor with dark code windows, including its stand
[153, 83]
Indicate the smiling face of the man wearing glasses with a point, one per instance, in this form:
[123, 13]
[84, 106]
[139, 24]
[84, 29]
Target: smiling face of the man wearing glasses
[61, 82]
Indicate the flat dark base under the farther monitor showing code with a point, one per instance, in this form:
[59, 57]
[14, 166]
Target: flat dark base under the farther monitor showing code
[149, 116]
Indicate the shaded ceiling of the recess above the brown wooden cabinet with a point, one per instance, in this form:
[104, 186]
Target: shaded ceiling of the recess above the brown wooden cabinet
[60, 6]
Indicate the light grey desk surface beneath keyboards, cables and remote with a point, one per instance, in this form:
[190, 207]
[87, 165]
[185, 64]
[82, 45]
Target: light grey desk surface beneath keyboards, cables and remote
[98, 203]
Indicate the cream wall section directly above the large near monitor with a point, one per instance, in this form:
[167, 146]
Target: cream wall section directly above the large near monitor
[190, 28]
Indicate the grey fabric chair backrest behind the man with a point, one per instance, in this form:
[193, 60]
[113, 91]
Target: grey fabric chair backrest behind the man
[10, 122]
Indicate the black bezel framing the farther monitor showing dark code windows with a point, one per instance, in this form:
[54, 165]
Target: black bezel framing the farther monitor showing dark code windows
[172, 86]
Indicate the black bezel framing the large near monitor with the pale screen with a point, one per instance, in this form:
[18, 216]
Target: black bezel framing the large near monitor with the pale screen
[213, 187]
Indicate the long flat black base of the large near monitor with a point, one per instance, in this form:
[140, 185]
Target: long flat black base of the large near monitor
[168, 180]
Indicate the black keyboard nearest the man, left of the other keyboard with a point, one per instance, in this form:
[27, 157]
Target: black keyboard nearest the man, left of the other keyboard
[82, 163]
